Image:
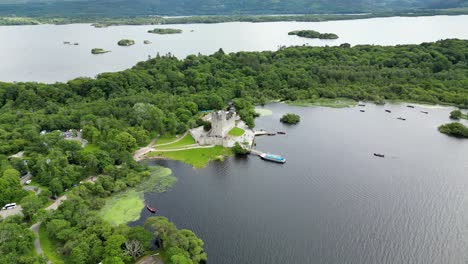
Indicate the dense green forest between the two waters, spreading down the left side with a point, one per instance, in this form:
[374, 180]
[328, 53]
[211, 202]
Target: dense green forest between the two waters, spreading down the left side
[117, 112]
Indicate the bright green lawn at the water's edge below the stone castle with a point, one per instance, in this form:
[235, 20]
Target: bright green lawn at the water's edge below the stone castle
[198, 157]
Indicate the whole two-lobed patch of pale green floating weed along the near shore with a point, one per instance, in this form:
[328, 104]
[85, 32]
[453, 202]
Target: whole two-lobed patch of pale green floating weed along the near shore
[126, 206]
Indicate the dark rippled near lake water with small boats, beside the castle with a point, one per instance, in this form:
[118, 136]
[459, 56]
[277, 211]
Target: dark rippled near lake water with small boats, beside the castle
[332, 201]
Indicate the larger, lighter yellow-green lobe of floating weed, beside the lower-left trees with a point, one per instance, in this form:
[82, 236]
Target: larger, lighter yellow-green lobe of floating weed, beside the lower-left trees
[123, 208]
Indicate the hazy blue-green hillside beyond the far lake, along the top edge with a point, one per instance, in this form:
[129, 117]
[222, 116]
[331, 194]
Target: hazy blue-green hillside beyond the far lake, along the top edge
[114, 8]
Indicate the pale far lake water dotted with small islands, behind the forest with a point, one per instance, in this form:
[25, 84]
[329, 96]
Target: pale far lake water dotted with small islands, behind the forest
[36, 53]
